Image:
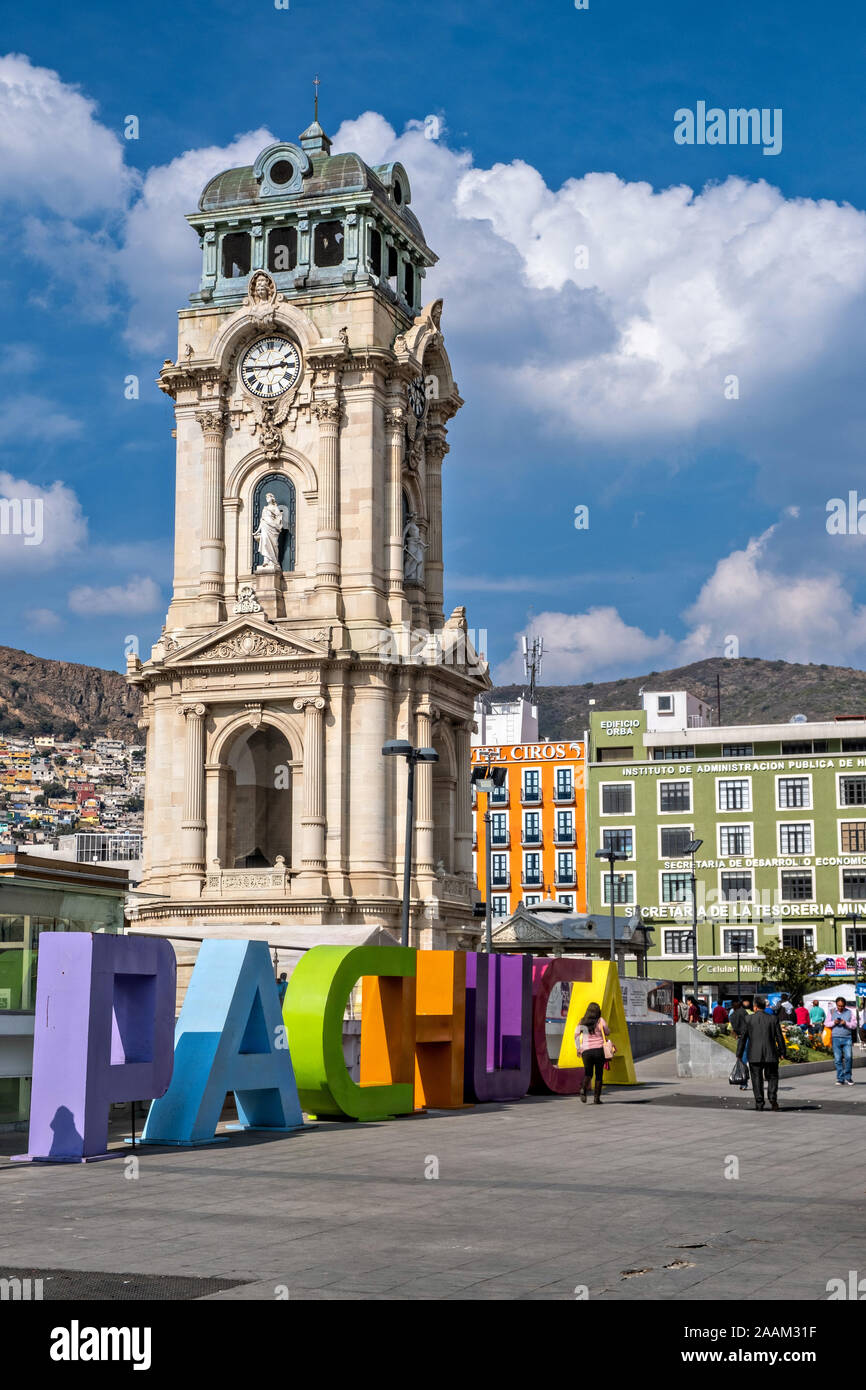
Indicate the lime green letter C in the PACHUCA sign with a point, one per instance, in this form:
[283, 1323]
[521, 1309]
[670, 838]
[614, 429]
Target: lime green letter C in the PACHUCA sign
[313, 1011]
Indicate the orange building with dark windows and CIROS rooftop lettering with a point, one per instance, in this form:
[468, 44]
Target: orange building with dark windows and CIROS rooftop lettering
[539, 844]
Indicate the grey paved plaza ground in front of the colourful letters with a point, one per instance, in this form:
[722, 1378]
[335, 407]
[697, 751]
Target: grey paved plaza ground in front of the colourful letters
[533, 1200]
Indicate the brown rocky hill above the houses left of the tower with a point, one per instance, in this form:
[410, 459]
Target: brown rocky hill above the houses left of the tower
[67, 700]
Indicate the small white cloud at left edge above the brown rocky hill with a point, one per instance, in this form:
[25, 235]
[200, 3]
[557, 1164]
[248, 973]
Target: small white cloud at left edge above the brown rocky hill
[51, 519]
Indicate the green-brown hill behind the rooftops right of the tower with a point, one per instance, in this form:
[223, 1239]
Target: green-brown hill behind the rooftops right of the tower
[753, 693]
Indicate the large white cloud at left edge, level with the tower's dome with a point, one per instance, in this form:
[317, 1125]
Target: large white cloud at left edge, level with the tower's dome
[54, 151]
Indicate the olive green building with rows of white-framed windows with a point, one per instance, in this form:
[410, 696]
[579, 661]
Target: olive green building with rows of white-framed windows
[782, 815]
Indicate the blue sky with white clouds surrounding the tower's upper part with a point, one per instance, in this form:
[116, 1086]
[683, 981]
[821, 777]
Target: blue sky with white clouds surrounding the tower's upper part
[660, 343]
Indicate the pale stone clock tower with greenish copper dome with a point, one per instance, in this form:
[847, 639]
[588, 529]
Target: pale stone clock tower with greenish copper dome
[307, 628]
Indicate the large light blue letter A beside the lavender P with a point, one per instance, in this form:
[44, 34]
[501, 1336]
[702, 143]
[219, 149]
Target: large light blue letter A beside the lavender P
[230, 1038]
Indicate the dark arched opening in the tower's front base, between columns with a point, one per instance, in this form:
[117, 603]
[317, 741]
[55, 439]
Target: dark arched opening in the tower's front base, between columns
[259, 800]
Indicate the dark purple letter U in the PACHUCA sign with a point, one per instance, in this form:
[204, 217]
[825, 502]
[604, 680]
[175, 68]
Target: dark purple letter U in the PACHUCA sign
[498, 1027]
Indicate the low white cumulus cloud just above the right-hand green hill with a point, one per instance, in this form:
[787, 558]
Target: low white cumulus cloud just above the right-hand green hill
[767, 611]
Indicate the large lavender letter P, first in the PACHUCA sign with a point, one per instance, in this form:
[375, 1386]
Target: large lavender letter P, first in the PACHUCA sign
[104, 1031]
